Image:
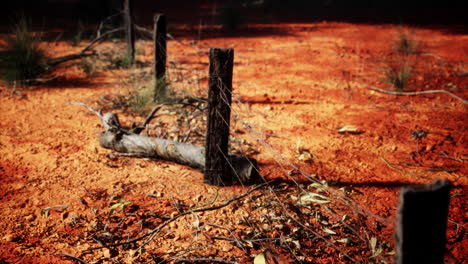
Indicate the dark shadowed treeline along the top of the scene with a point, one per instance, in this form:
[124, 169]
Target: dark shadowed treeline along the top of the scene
[254, 11]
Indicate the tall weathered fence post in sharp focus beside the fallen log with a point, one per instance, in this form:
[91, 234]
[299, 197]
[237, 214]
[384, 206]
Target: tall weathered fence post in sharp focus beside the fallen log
[217, 169]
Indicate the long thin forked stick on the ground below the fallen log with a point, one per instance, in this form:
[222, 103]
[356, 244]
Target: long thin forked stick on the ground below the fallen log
[151, 234]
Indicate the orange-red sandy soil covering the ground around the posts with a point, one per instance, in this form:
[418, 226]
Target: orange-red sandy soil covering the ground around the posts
[294, 85]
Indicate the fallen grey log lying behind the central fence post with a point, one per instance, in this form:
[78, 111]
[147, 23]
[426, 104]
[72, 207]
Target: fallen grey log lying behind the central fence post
[129, 141]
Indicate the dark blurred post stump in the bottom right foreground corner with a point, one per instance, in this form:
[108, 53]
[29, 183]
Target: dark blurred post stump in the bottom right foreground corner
[422, 223]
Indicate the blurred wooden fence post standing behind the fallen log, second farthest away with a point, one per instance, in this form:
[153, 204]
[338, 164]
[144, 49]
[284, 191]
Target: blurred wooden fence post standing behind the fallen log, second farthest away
[160, 56]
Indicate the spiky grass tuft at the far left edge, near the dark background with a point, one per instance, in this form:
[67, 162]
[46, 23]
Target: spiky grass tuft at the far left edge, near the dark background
[23, 59]
